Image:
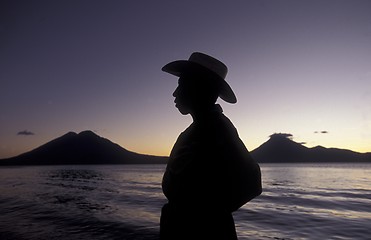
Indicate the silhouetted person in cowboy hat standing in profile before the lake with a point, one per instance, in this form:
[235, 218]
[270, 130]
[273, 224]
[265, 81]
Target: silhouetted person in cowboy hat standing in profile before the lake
[210, 173]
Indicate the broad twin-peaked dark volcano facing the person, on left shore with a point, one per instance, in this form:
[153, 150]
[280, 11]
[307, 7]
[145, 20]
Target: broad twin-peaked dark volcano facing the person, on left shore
[83, 148]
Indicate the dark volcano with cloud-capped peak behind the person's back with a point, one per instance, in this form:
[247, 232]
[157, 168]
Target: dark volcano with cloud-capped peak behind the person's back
[280, 149]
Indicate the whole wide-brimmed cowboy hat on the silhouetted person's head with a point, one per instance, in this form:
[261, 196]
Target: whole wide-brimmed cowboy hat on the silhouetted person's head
[205, 64]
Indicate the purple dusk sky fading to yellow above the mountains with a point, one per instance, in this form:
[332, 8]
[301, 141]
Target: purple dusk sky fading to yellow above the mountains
[299, 67]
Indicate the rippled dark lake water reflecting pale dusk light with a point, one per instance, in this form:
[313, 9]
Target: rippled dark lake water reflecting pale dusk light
[299, 201]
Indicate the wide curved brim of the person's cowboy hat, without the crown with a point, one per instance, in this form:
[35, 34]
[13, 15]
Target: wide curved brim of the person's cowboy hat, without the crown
[180, 67]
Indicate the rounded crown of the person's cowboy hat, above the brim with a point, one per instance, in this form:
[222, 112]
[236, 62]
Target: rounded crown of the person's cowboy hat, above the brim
[210, 63]
